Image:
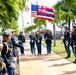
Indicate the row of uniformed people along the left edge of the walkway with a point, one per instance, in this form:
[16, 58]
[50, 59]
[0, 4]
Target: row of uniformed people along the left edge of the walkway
[8, 52]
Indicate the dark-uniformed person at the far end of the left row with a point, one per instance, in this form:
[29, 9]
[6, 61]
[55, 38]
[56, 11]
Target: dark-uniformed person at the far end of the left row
[21, 39]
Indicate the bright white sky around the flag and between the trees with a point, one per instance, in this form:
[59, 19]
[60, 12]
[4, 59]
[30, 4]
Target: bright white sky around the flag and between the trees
[27, 15]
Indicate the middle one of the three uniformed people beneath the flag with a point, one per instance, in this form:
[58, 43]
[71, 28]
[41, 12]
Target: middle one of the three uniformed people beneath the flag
[38, 42]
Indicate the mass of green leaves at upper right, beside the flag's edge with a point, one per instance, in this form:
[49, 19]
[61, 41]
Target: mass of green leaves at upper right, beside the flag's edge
[65, 9]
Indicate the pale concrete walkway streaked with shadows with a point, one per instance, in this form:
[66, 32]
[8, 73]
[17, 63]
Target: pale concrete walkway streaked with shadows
[51, 64]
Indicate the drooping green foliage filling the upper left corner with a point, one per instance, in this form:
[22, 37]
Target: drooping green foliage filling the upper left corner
[9, 12]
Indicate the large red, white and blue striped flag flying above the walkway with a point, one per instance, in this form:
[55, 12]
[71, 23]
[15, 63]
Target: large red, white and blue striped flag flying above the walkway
[42, 12]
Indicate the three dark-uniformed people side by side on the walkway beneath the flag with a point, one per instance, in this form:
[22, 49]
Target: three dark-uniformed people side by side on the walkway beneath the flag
[36, 40]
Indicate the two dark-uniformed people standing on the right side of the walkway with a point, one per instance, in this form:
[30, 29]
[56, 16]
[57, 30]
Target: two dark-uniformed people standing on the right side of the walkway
[70, 40]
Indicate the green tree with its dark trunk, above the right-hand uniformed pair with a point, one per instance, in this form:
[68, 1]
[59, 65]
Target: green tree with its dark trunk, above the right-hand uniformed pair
[67, 7]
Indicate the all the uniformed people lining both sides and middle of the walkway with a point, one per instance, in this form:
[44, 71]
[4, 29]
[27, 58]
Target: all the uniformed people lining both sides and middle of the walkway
[8, 47]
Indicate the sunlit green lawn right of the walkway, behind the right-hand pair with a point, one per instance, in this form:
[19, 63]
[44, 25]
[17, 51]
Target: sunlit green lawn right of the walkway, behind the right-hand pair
[59, 49]
